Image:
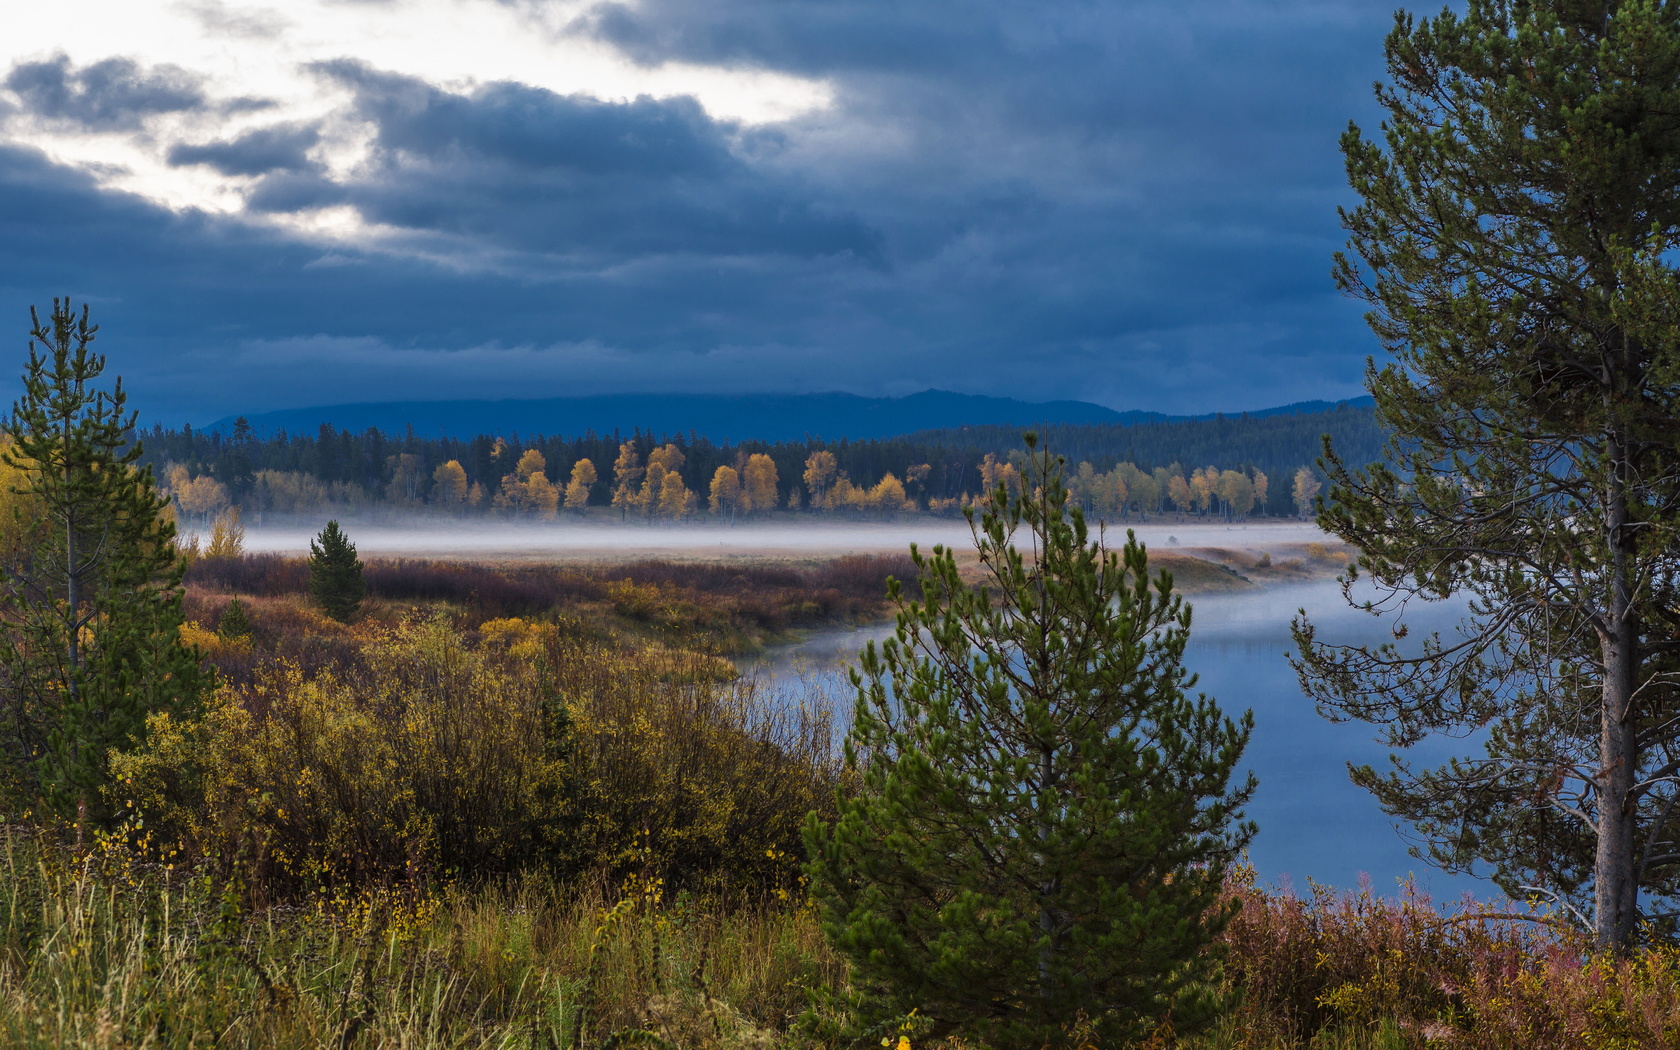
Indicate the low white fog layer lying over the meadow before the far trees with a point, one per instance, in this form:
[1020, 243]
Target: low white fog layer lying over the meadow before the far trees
[434, 538]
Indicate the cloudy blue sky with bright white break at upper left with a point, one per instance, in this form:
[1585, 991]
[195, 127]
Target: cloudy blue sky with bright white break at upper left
[275, 206]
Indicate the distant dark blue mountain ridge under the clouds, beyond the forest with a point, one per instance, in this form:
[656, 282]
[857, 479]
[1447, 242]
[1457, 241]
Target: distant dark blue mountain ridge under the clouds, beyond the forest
[765, 417]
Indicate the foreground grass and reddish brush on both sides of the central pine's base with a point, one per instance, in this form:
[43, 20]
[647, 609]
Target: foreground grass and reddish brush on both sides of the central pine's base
[100, 948]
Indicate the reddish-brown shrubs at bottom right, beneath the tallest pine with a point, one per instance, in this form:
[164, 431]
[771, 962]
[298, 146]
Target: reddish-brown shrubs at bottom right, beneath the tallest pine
[1478, 977]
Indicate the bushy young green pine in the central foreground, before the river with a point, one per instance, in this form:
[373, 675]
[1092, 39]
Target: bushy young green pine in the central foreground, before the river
[1046, 816]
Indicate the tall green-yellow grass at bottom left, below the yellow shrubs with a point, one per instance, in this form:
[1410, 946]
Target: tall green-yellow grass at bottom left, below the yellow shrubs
[97, 952]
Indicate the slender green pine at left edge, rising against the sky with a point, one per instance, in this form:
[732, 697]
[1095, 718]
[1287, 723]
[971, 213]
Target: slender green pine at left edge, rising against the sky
[92, 604]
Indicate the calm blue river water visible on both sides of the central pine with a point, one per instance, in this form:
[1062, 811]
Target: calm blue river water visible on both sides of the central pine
[1313, 821]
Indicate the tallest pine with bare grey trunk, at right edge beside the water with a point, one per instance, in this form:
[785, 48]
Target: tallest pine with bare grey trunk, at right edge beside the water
[1516, 241]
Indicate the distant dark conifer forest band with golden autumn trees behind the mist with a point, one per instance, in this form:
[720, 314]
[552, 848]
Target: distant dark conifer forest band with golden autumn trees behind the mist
[1131, 468]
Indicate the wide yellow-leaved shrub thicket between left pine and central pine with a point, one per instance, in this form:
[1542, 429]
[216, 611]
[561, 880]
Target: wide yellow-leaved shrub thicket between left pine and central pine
[426, 755]
